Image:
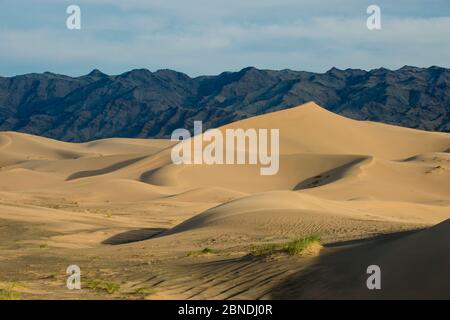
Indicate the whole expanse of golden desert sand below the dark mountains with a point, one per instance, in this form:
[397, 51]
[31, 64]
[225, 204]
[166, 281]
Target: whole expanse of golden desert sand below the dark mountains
[135, 222]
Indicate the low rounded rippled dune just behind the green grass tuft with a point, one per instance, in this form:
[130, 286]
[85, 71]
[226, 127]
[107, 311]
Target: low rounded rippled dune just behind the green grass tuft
[293, 214]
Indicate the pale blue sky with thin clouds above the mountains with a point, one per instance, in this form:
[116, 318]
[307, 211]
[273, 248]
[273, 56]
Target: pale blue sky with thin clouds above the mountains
[205, 37]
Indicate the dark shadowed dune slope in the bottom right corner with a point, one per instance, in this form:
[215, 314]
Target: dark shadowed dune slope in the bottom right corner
[415, 266]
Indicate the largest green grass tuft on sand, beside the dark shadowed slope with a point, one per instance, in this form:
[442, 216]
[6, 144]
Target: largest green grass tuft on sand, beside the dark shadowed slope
[302, 246]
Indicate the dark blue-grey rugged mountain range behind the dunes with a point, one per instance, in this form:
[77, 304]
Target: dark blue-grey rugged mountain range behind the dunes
[140, 103]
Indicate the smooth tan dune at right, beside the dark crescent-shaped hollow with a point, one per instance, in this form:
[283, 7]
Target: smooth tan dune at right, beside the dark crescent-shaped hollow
[377, 179]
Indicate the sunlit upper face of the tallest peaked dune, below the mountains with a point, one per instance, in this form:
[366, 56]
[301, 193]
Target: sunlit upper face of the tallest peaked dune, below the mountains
[312, 129]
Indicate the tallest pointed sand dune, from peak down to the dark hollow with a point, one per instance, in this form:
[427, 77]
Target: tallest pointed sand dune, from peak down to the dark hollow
[312, 141]
